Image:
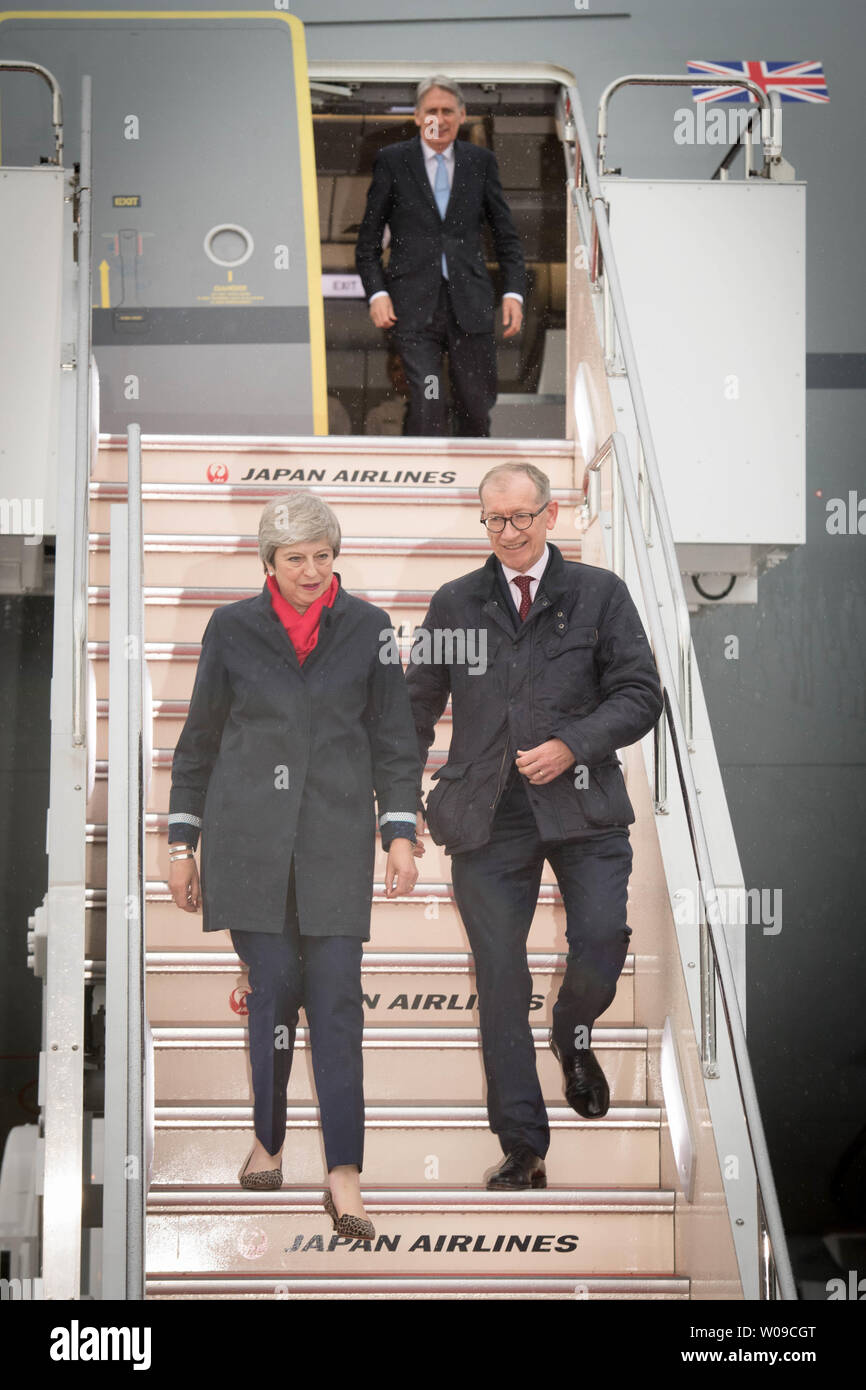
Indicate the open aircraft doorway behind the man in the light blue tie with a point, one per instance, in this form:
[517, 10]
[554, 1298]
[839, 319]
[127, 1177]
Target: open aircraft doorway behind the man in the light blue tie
[352, 120]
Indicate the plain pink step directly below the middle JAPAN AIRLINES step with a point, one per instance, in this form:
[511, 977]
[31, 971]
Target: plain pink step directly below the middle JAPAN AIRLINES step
[430, 1065]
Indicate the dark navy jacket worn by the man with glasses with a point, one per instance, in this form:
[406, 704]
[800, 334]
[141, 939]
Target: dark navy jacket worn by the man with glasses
[579, 669]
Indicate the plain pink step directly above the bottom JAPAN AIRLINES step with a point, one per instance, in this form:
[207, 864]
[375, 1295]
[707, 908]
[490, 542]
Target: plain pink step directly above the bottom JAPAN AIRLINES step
[427, 1145]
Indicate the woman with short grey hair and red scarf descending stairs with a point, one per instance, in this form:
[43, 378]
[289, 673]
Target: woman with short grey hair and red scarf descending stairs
[300, 718]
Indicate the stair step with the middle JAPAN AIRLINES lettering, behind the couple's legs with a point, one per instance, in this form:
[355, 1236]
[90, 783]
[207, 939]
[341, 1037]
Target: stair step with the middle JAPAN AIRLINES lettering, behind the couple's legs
[209, 988]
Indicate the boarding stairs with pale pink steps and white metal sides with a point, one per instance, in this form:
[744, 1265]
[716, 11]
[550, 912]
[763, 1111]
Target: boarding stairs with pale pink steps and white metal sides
[671, 1195]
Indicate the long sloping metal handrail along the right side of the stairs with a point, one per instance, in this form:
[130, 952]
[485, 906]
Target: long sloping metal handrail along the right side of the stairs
[774, 1253]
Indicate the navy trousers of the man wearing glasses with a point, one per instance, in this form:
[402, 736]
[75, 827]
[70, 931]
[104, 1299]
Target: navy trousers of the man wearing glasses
[497, 892]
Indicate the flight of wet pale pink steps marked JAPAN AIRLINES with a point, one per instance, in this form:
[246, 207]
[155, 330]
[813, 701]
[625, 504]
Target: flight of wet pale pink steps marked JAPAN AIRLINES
[604, 1228]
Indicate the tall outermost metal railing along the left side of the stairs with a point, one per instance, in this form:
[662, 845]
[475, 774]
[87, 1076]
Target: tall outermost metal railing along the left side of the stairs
[62, 965]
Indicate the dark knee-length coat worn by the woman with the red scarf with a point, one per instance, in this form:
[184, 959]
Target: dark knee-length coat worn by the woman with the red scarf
[279, 760]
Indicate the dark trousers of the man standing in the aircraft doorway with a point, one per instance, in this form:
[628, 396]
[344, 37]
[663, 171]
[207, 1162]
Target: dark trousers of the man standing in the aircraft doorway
[472, 361]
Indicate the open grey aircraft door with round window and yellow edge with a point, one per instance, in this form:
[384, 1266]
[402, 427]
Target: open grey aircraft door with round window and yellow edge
[201, 262]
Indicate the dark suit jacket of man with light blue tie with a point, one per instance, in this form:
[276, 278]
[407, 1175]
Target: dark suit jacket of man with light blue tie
[402, 198]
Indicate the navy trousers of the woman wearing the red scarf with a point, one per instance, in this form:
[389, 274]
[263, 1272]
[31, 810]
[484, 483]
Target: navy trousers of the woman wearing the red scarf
[323, 975]
